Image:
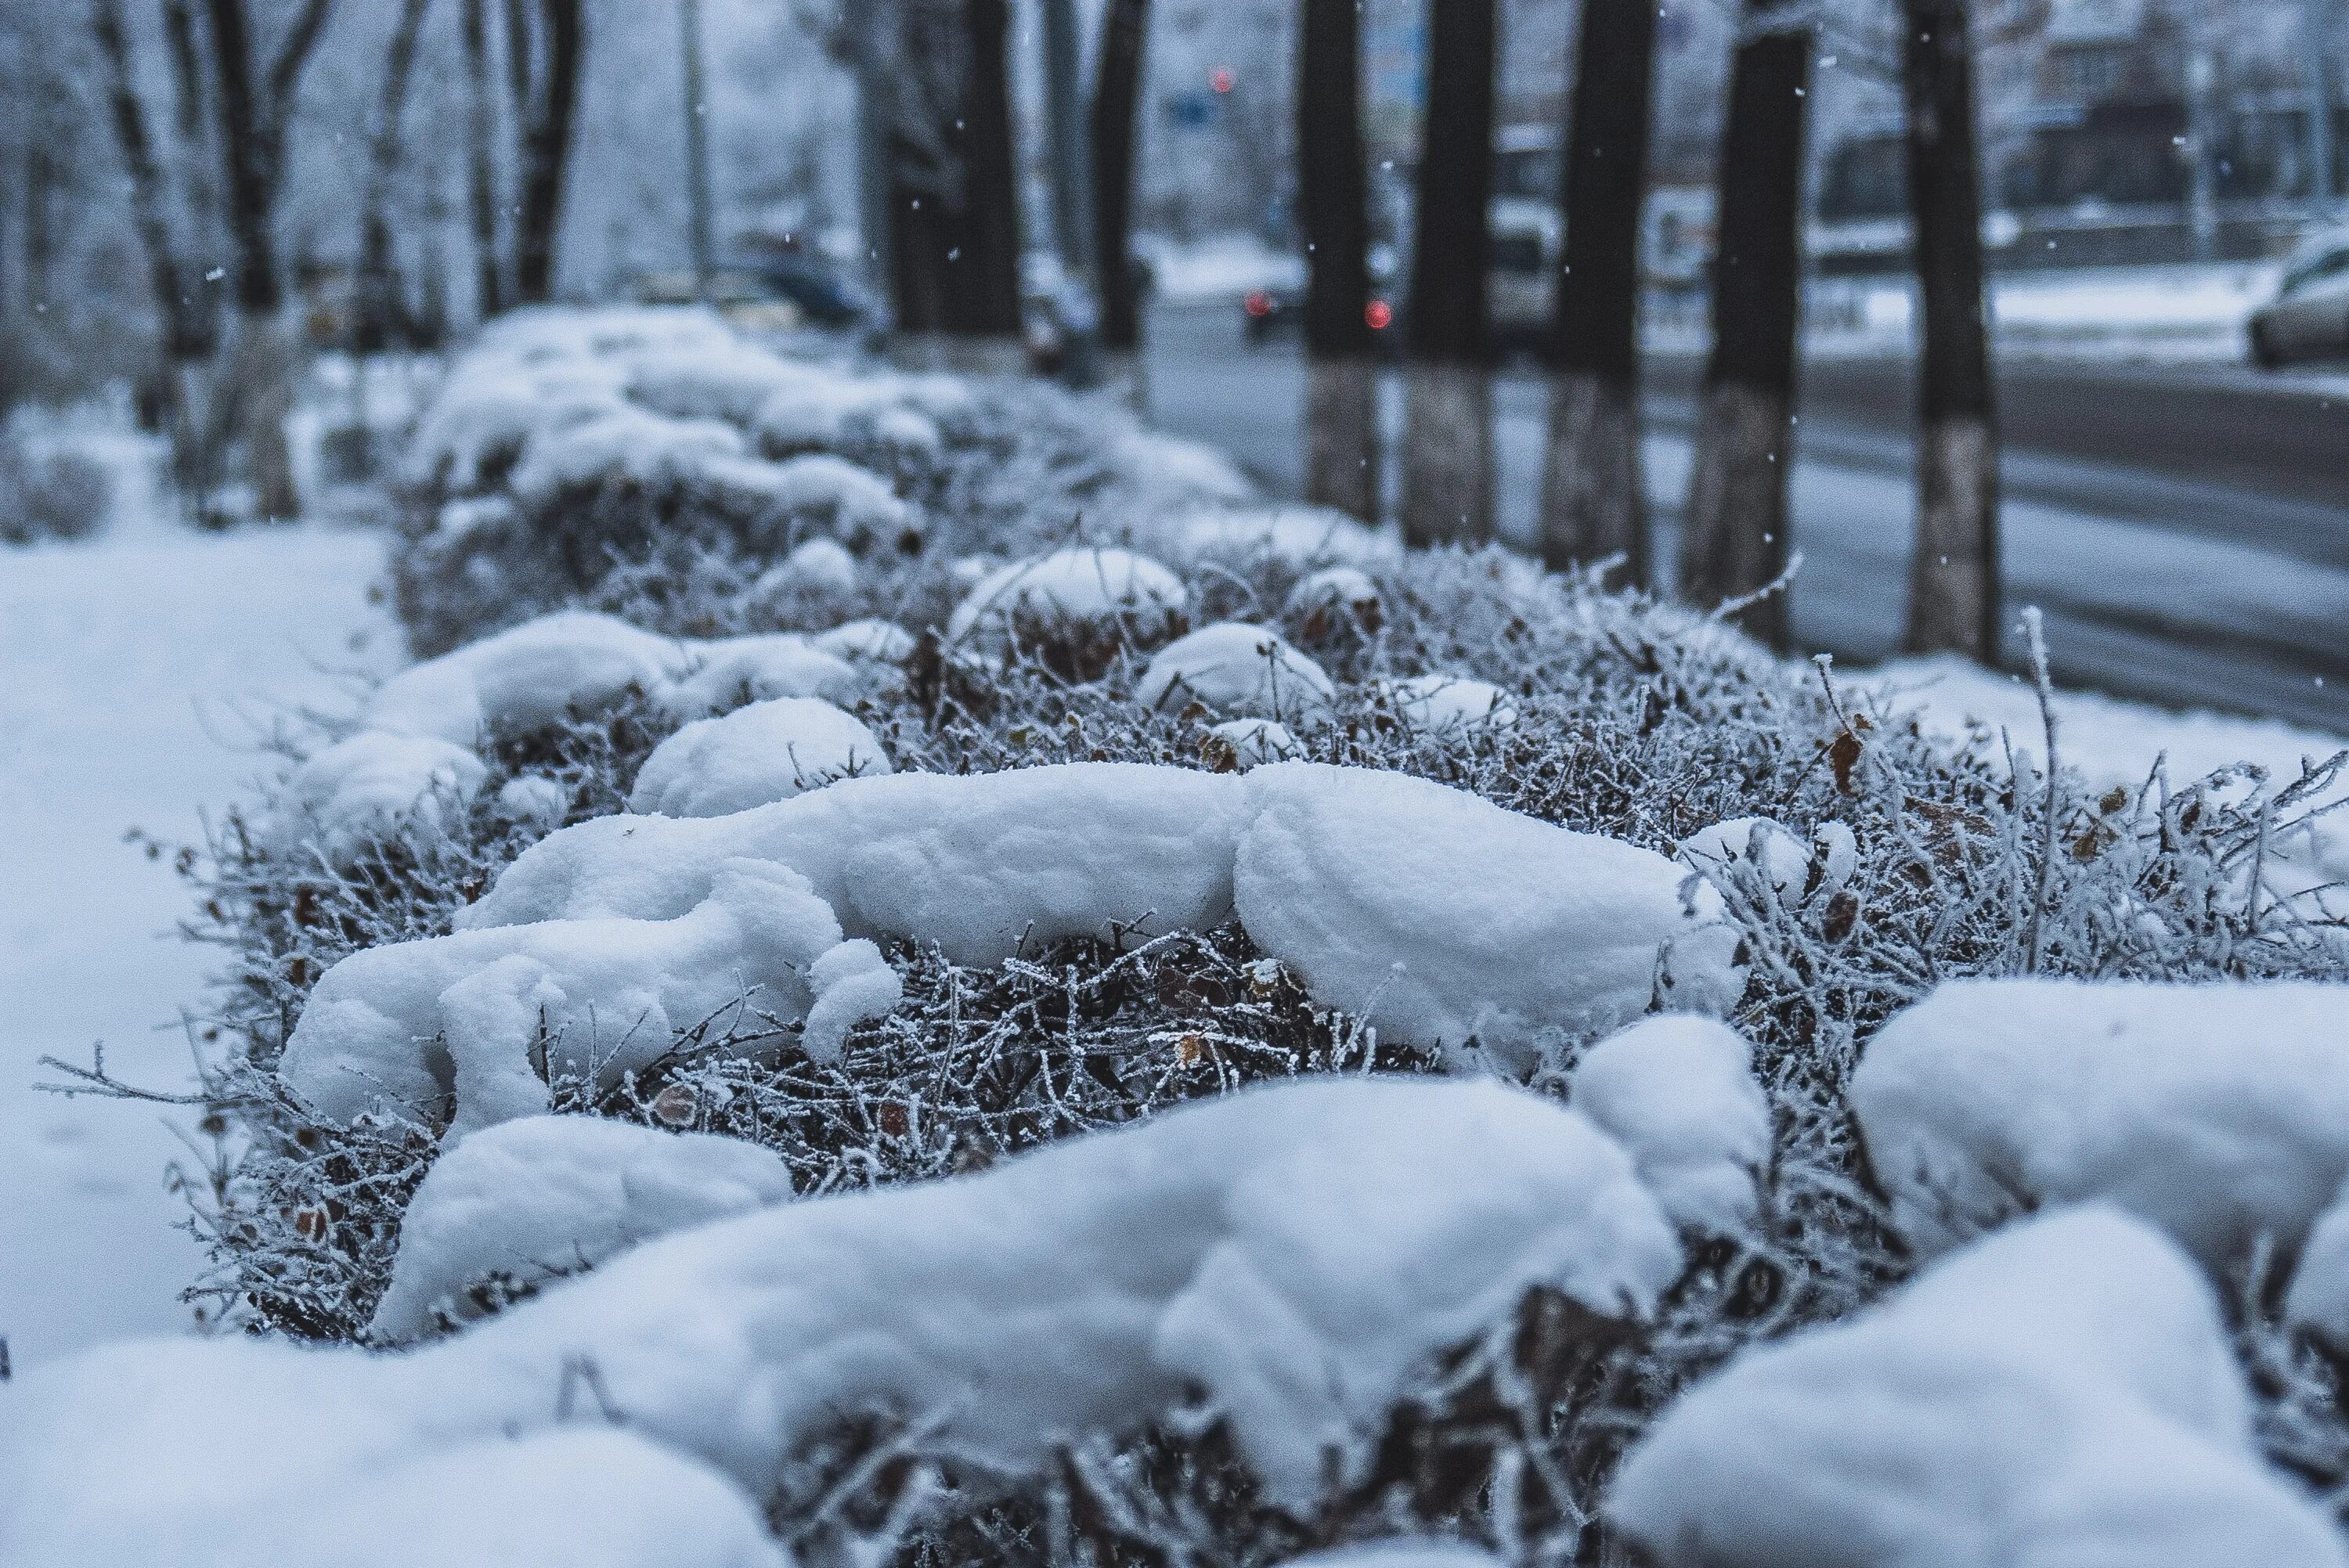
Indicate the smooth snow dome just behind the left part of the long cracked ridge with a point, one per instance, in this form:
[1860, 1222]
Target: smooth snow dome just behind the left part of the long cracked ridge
[753, 757]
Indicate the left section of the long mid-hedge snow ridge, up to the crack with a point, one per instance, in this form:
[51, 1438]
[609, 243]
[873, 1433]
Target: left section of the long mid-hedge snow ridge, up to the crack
[981, 865]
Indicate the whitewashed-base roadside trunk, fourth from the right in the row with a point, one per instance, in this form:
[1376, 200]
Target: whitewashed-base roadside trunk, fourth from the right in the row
[1448, 461]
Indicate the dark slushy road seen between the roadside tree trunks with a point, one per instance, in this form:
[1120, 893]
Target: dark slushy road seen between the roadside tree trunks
[2183, 527]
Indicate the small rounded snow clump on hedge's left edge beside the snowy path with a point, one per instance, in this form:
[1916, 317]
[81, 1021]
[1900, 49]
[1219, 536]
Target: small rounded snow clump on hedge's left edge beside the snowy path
[365, 788]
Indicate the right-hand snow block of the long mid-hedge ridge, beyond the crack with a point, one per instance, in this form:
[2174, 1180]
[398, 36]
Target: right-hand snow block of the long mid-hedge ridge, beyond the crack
[1448, 921]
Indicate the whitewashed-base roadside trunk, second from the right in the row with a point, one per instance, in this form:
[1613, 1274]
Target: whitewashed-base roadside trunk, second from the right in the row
[1737, 532]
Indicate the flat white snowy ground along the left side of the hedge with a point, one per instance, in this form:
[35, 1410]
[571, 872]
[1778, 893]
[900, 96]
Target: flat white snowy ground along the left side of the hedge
[133, 673]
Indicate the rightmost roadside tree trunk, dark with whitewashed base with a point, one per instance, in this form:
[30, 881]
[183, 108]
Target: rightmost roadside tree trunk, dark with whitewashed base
[1956, 567]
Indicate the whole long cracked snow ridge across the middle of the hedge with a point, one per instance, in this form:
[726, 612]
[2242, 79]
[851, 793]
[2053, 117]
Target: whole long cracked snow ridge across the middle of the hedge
[1427, 910]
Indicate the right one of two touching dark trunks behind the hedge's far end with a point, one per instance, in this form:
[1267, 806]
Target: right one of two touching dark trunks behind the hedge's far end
[983, 281]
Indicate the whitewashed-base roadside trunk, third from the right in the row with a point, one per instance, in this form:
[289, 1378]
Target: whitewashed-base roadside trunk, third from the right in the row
[1591, 496]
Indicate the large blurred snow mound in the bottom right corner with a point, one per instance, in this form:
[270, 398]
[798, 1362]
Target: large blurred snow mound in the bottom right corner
[2059, 1395]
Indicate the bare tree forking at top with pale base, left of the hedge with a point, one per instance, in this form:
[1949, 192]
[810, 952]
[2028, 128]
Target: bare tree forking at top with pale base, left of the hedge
[255, 109]
